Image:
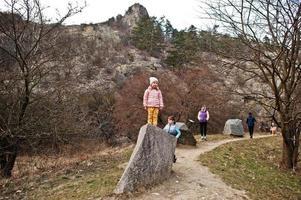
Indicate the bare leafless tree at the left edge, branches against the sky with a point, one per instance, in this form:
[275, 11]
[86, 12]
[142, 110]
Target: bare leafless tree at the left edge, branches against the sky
[29, 52]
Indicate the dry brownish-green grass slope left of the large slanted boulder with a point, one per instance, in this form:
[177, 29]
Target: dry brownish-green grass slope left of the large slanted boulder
[87, 174]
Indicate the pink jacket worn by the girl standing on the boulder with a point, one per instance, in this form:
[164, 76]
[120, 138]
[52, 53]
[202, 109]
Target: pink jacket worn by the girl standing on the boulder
[153, 98]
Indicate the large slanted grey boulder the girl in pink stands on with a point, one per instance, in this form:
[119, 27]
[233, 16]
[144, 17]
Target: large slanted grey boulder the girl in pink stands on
[151, 161]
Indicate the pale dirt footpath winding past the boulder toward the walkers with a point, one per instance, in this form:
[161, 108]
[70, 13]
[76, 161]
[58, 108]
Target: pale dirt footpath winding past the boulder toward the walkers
[191, 180]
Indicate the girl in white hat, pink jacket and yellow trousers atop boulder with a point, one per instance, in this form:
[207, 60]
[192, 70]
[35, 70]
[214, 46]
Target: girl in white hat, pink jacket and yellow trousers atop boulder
[153, 101]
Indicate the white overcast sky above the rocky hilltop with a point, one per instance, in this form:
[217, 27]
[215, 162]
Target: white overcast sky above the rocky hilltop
[181, 13]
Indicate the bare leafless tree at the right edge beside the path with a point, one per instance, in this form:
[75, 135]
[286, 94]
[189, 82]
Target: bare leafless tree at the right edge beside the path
[266, 47]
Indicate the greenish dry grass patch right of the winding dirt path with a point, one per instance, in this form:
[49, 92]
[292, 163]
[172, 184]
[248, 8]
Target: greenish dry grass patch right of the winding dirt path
[253, 165]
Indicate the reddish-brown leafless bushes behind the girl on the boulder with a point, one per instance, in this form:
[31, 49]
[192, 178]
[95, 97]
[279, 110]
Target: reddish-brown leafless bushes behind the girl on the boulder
[183, 95]
